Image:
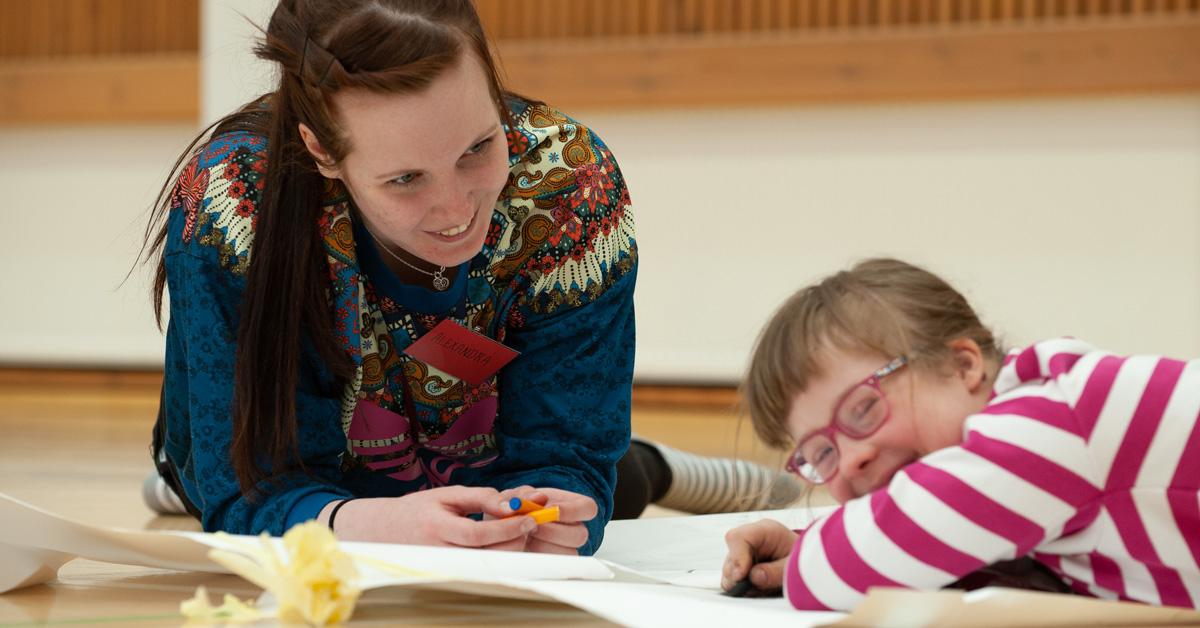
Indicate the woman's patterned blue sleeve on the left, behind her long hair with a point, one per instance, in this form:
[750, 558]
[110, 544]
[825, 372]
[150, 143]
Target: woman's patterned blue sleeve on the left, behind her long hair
[211, 230]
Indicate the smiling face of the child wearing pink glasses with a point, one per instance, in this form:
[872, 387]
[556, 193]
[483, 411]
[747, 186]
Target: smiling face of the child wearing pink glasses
[927, 415]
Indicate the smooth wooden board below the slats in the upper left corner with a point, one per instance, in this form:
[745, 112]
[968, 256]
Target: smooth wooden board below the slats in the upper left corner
[160, 88]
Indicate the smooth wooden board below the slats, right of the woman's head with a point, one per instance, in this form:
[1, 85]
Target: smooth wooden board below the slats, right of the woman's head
[1138, 57]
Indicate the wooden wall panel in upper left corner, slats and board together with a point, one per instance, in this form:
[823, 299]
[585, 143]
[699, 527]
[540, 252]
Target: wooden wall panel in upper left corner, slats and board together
[99, 62]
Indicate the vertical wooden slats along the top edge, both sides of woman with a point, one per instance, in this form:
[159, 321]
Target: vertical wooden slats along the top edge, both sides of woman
[52, 28]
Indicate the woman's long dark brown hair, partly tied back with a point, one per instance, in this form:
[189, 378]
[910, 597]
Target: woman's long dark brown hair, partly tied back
[321, 47]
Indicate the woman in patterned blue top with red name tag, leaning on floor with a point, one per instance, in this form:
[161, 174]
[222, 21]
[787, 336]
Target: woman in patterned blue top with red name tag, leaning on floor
[392, 192]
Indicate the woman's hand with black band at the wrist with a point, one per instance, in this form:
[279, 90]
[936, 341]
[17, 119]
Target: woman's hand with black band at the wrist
[435, 517]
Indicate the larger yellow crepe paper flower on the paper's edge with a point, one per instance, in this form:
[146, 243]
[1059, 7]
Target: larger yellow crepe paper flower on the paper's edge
[314, 582]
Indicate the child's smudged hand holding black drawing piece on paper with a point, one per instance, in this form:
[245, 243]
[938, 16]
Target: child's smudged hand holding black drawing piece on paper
[760, 549]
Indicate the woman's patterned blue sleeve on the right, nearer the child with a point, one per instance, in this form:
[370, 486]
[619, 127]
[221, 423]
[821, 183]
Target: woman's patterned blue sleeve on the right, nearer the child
[565, 415]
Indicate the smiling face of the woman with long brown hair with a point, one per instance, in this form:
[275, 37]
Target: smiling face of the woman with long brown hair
[425, 170]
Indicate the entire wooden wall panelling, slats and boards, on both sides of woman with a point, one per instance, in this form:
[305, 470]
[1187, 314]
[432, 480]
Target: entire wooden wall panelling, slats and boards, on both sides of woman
[669, 53]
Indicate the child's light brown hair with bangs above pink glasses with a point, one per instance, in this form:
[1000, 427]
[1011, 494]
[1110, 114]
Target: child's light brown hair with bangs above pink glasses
[885, 307]
